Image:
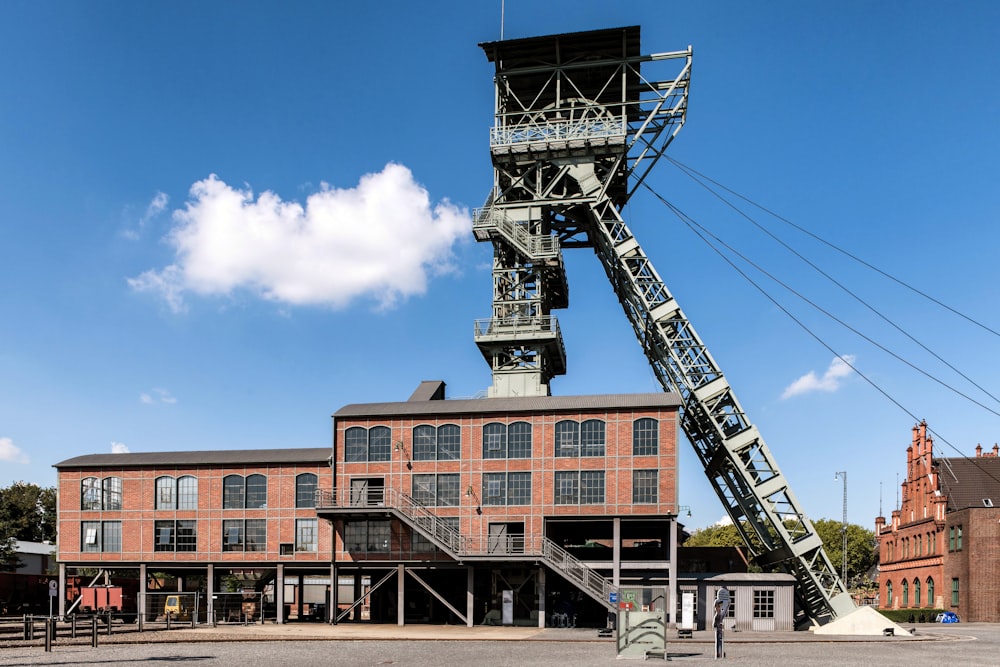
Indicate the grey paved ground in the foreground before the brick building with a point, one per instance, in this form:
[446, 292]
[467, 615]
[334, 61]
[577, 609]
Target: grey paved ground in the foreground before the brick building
[965, 644]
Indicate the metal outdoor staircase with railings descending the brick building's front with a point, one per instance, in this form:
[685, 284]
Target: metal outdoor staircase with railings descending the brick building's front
[449, 540]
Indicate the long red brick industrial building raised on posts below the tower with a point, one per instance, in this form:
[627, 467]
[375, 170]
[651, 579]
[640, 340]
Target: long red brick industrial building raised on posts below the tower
[424, 510]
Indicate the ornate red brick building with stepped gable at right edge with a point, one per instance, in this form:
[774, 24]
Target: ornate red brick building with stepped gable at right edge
[941, 548]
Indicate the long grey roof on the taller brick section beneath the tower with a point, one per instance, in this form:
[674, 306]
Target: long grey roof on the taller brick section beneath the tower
[516, 404]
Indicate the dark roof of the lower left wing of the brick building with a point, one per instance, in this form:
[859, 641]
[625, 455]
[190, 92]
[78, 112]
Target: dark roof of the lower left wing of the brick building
[209, 457]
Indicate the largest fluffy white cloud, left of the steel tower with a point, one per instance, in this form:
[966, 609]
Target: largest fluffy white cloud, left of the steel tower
[379, 240]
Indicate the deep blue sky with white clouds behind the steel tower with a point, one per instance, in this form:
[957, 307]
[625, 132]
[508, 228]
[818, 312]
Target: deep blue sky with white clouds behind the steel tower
[220, 222]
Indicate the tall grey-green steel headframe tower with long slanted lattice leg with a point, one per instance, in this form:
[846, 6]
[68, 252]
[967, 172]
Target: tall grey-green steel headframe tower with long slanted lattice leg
[577, 129]
